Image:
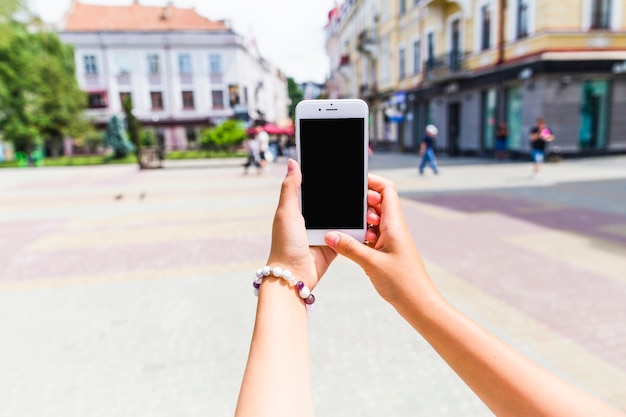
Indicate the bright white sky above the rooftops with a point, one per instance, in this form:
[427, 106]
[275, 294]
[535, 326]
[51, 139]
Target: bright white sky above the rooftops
[288, 33]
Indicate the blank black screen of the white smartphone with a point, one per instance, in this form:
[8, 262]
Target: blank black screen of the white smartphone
[332, 163]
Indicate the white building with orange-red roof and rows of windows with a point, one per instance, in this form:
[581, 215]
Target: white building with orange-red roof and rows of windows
[182, 71]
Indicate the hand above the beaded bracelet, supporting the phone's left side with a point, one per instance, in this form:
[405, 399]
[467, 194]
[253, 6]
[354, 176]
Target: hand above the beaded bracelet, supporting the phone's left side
[290, 246]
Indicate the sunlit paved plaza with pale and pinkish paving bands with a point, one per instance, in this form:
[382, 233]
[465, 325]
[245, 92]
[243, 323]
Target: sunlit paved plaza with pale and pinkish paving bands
[128, 293]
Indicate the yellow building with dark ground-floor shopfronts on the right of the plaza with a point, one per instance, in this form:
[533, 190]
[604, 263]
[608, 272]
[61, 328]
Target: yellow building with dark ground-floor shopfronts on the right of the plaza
[464, 65]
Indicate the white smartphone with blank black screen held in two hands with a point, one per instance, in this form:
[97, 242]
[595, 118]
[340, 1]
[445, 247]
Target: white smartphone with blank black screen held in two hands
[332, 149]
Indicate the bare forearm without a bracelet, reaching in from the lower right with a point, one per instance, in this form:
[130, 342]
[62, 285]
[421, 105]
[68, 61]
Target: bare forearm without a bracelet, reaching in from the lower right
[509, 383]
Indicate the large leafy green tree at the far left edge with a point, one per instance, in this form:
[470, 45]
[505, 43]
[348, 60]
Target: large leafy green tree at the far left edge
[40, 101]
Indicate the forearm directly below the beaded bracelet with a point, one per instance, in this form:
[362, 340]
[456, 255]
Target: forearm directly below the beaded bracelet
[277, 377]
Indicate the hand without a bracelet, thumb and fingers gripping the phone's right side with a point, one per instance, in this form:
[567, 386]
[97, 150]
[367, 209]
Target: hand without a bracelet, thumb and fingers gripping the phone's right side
[390, 259]
